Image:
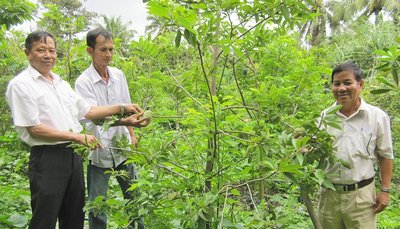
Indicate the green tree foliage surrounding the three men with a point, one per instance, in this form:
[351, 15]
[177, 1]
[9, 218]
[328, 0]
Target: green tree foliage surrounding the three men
[235, 98]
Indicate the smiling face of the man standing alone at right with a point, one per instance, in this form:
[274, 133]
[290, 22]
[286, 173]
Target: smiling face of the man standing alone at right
[346, 89]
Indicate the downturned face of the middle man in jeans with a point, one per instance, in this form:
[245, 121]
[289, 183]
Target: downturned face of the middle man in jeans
[102, 52]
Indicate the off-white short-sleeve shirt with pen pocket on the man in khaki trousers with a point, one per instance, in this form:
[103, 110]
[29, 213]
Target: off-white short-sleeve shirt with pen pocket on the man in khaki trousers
[365, 135]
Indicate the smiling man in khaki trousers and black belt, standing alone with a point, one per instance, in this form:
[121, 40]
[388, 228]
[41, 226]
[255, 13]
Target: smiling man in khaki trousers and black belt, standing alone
[364, 140]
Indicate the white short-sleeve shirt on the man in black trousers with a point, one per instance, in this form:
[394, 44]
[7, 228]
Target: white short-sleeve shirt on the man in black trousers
[34, 100]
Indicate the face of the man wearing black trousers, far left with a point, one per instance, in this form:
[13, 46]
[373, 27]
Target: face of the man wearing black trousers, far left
[43, 55]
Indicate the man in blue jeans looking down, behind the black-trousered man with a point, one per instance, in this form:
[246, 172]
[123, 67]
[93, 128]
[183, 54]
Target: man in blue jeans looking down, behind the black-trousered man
[103, 85]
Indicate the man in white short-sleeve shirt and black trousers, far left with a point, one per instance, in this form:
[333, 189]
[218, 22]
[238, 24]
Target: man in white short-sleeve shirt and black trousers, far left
[46, 113]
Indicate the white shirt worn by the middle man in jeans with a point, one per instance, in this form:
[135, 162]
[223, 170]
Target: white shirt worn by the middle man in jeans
[97, 92]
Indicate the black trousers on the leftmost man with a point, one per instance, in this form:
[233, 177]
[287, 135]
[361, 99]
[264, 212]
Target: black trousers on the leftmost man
[57, 187]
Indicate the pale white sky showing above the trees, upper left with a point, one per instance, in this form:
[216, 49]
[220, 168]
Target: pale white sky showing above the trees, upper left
[133, 11]
